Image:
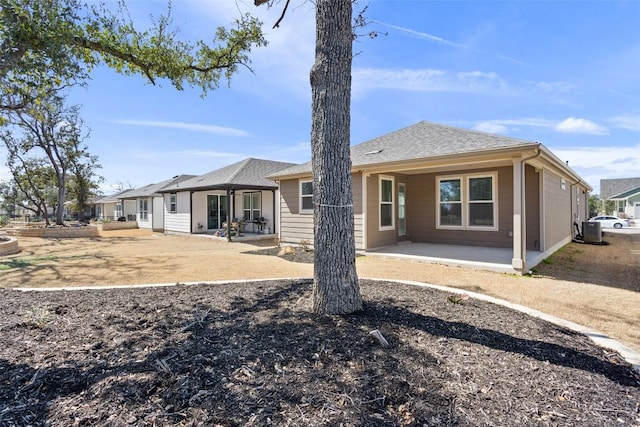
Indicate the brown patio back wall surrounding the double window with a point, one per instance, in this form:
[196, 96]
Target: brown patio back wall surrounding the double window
[422, 212]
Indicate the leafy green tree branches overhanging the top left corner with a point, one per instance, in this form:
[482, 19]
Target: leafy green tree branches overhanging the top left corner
[46, 45]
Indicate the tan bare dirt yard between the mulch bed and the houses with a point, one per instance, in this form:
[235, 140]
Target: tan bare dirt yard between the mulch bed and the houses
[596, 286]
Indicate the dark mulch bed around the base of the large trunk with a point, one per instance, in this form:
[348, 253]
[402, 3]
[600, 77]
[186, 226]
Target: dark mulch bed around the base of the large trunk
[252, 354]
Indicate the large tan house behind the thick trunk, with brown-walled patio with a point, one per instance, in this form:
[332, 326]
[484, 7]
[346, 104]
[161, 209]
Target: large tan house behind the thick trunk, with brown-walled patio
[438, 184]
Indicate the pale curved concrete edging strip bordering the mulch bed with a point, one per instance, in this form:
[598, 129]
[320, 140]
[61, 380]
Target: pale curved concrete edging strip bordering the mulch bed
[600, 339]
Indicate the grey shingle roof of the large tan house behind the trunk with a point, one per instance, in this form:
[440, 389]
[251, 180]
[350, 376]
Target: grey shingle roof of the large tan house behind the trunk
[421, 141]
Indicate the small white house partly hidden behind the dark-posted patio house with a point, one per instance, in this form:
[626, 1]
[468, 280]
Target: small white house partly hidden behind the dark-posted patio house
[149, 202]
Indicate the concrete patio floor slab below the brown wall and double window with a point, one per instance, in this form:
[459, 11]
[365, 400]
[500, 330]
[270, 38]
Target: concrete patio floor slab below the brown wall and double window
[480, 257]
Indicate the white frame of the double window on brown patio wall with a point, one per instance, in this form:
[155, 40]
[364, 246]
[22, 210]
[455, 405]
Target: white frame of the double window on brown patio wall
[464, 197]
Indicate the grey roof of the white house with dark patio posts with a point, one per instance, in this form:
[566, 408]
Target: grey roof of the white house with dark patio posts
[248, 173]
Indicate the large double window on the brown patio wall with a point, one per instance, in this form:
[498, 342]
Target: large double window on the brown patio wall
[467, 202]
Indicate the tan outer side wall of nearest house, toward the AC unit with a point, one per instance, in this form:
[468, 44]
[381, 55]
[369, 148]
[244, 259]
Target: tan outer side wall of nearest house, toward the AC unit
[557, 209]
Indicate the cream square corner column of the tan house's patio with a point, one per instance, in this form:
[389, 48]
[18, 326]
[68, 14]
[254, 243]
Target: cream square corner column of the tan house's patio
[519, 262]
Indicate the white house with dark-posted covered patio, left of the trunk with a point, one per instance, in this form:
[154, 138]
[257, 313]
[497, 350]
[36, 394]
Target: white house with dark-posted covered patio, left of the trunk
[238, 191]
